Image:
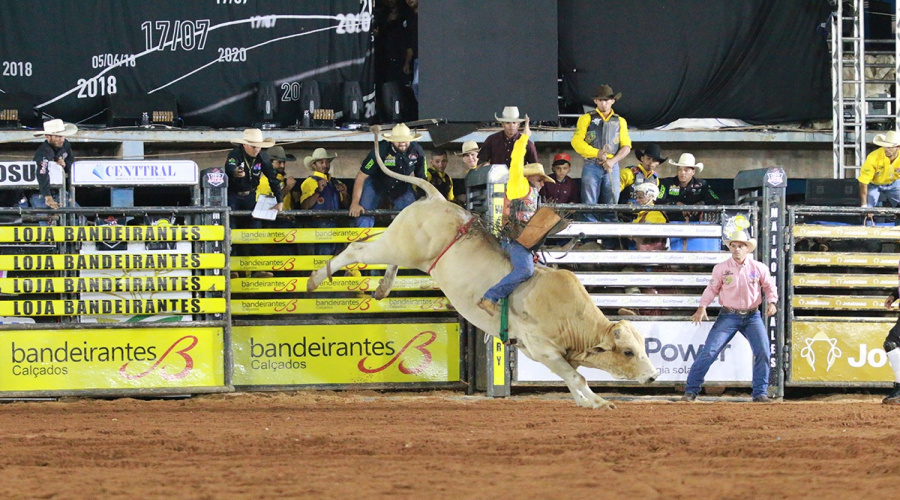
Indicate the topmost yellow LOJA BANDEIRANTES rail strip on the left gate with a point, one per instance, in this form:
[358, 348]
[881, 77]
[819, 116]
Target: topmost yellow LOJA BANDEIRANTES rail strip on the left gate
[52, 234]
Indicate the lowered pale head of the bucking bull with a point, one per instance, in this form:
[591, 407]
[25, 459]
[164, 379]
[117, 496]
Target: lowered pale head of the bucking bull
[621, 353]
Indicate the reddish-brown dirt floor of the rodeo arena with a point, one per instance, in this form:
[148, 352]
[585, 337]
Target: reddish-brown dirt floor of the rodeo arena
[447, 445]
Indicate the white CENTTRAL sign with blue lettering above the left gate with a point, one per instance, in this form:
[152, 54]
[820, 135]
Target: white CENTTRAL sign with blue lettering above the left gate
[134, 173]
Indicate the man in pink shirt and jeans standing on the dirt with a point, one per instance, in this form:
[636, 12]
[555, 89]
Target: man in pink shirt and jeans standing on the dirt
[739, 282]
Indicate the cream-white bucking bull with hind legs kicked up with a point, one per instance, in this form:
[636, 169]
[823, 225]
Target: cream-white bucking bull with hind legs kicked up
[551, 315]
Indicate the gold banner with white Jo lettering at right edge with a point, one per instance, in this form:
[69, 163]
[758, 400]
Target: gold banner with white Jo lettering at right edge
[839, 352]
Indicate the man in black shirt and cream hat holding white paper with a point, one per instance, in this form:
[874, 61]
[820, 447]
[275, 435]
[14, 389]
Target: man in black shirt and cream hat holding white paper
[245, 165]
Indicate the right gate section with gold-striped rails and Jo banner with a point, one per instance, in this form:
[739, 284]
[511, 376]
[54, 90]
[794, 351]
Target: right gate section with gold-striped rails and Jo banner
[843, 265]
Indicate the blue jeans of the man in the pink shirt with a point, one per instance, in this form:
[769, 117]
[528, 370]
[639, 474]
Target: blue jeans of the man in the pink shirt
[753, 329]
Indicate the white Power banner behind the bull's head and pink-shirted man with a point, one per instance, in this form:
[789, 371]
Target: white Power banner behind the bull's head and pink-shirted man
[672, 346]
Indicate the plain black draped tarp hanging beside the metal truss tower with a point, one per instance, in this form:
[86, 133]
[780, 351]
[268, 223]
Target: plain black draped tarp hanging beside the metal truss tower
[762, 61]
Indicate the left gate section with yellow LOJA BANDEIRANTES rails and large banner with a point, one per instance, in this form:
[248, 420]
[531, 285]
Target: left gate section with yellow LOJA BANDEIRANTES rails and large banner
[150, 318]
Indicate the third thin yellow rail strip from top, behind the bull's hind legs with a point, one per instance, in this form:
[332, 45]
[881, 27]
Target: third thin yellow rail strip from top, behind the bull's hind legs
[342, 284]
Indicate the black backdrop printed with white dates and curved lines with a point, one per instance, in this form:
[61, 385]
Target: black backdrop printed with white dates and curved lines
[57, 53]
